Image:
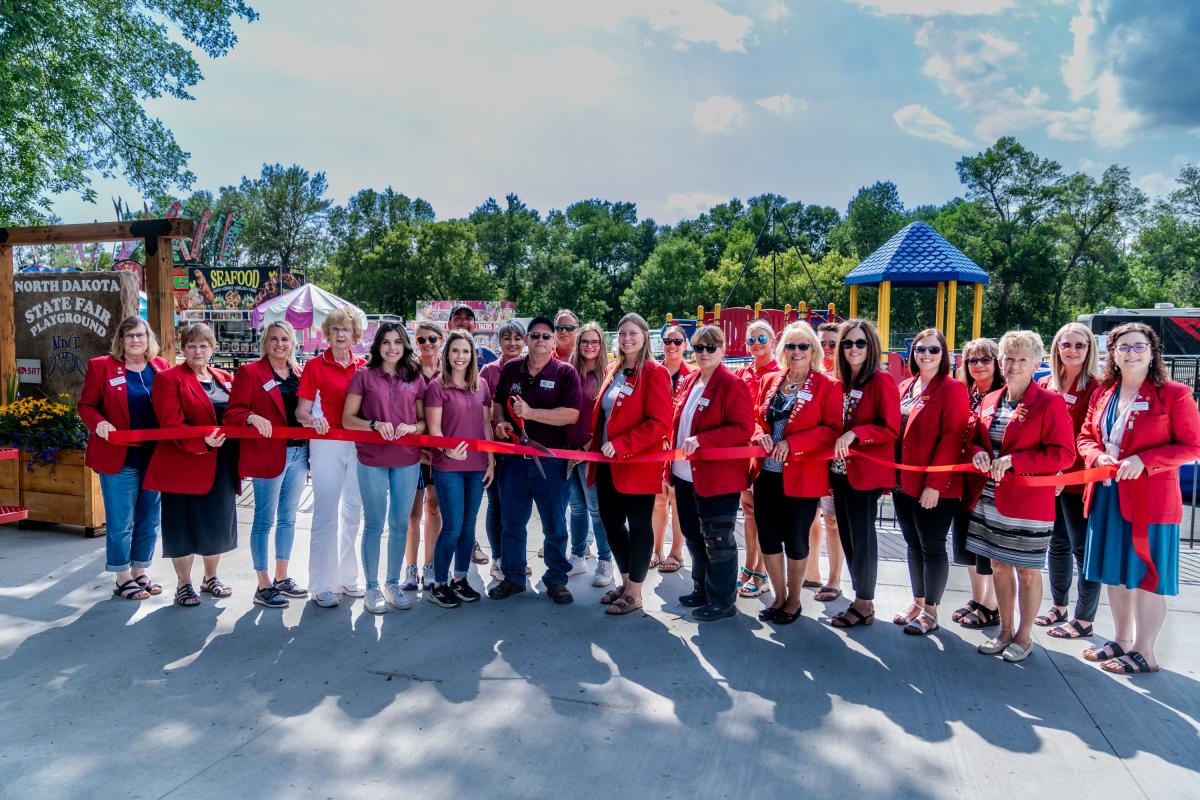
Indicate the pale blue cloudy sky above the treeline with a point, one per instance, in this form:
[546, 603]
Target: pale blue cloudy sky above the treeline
[677, 105]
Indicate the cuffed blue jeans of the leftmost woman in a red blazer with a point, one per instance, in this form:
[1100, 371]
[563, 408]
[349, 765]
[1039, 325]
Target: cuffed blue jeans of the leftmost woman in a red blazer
[133, 519]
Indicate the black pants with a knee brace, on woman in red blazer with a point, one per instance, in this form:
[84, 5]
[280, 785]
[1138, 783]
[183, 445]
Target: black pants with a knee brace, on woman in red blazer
[707, 526]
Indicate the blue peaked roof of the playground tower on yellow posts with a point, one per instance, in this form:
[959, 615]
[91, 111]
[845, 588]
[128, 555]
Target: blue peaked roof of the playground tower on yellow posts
[917, 257]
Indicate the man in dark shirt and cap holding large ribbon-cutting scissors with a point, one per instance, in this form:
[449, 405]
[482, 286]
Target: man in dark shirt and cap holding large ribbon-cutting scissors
[547, 395]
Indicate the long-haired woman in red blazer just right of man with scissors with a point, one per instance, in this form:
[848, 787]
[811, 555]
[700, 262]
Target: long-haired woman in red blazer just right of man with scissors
[632, 417]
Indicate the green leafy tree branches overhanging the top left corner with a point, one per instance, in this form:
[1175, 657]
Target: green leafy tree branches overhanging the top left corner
[74, 81]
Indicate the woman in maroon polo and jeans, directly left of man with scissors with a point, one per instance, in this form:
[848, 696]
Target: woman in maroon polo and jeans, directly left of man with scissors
[459, 404]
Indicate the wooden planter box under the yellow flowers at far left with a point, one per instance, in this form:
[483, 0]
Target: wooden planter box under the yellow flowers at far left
[67, 494]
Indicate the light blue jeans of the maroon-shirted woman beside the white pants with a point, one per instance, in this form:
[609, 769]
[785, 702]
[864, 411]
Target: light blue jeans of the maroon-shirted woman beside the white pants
[387, 496]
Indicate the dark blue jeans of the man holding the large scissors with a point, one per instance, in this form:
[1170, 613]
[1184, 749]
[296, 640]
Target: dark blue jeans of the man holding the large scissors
[523, 488]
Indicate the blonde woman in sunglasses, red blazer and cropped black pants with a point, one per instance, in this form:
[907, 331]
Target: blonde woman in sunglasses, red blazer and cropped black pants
[799, 412]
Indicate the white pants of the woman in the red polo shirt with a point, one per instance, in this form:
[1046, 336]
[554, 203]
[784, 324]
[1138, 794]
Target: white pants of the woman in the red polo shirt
[337, 514]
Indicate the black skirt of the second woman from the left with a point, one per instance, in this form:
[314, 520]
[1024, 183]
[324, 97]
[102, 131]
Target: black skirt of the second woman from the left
[205, 525]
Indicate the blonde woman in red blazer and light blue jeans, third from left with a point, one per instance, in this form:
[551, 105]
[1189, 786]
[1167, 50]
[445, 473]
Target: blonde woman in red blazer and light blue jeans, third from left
[266, 395]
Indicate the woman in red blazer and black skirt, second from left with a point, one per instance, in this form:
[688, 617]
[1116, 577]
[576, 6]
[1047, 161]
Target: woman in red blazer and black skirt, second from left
[199, 478]
